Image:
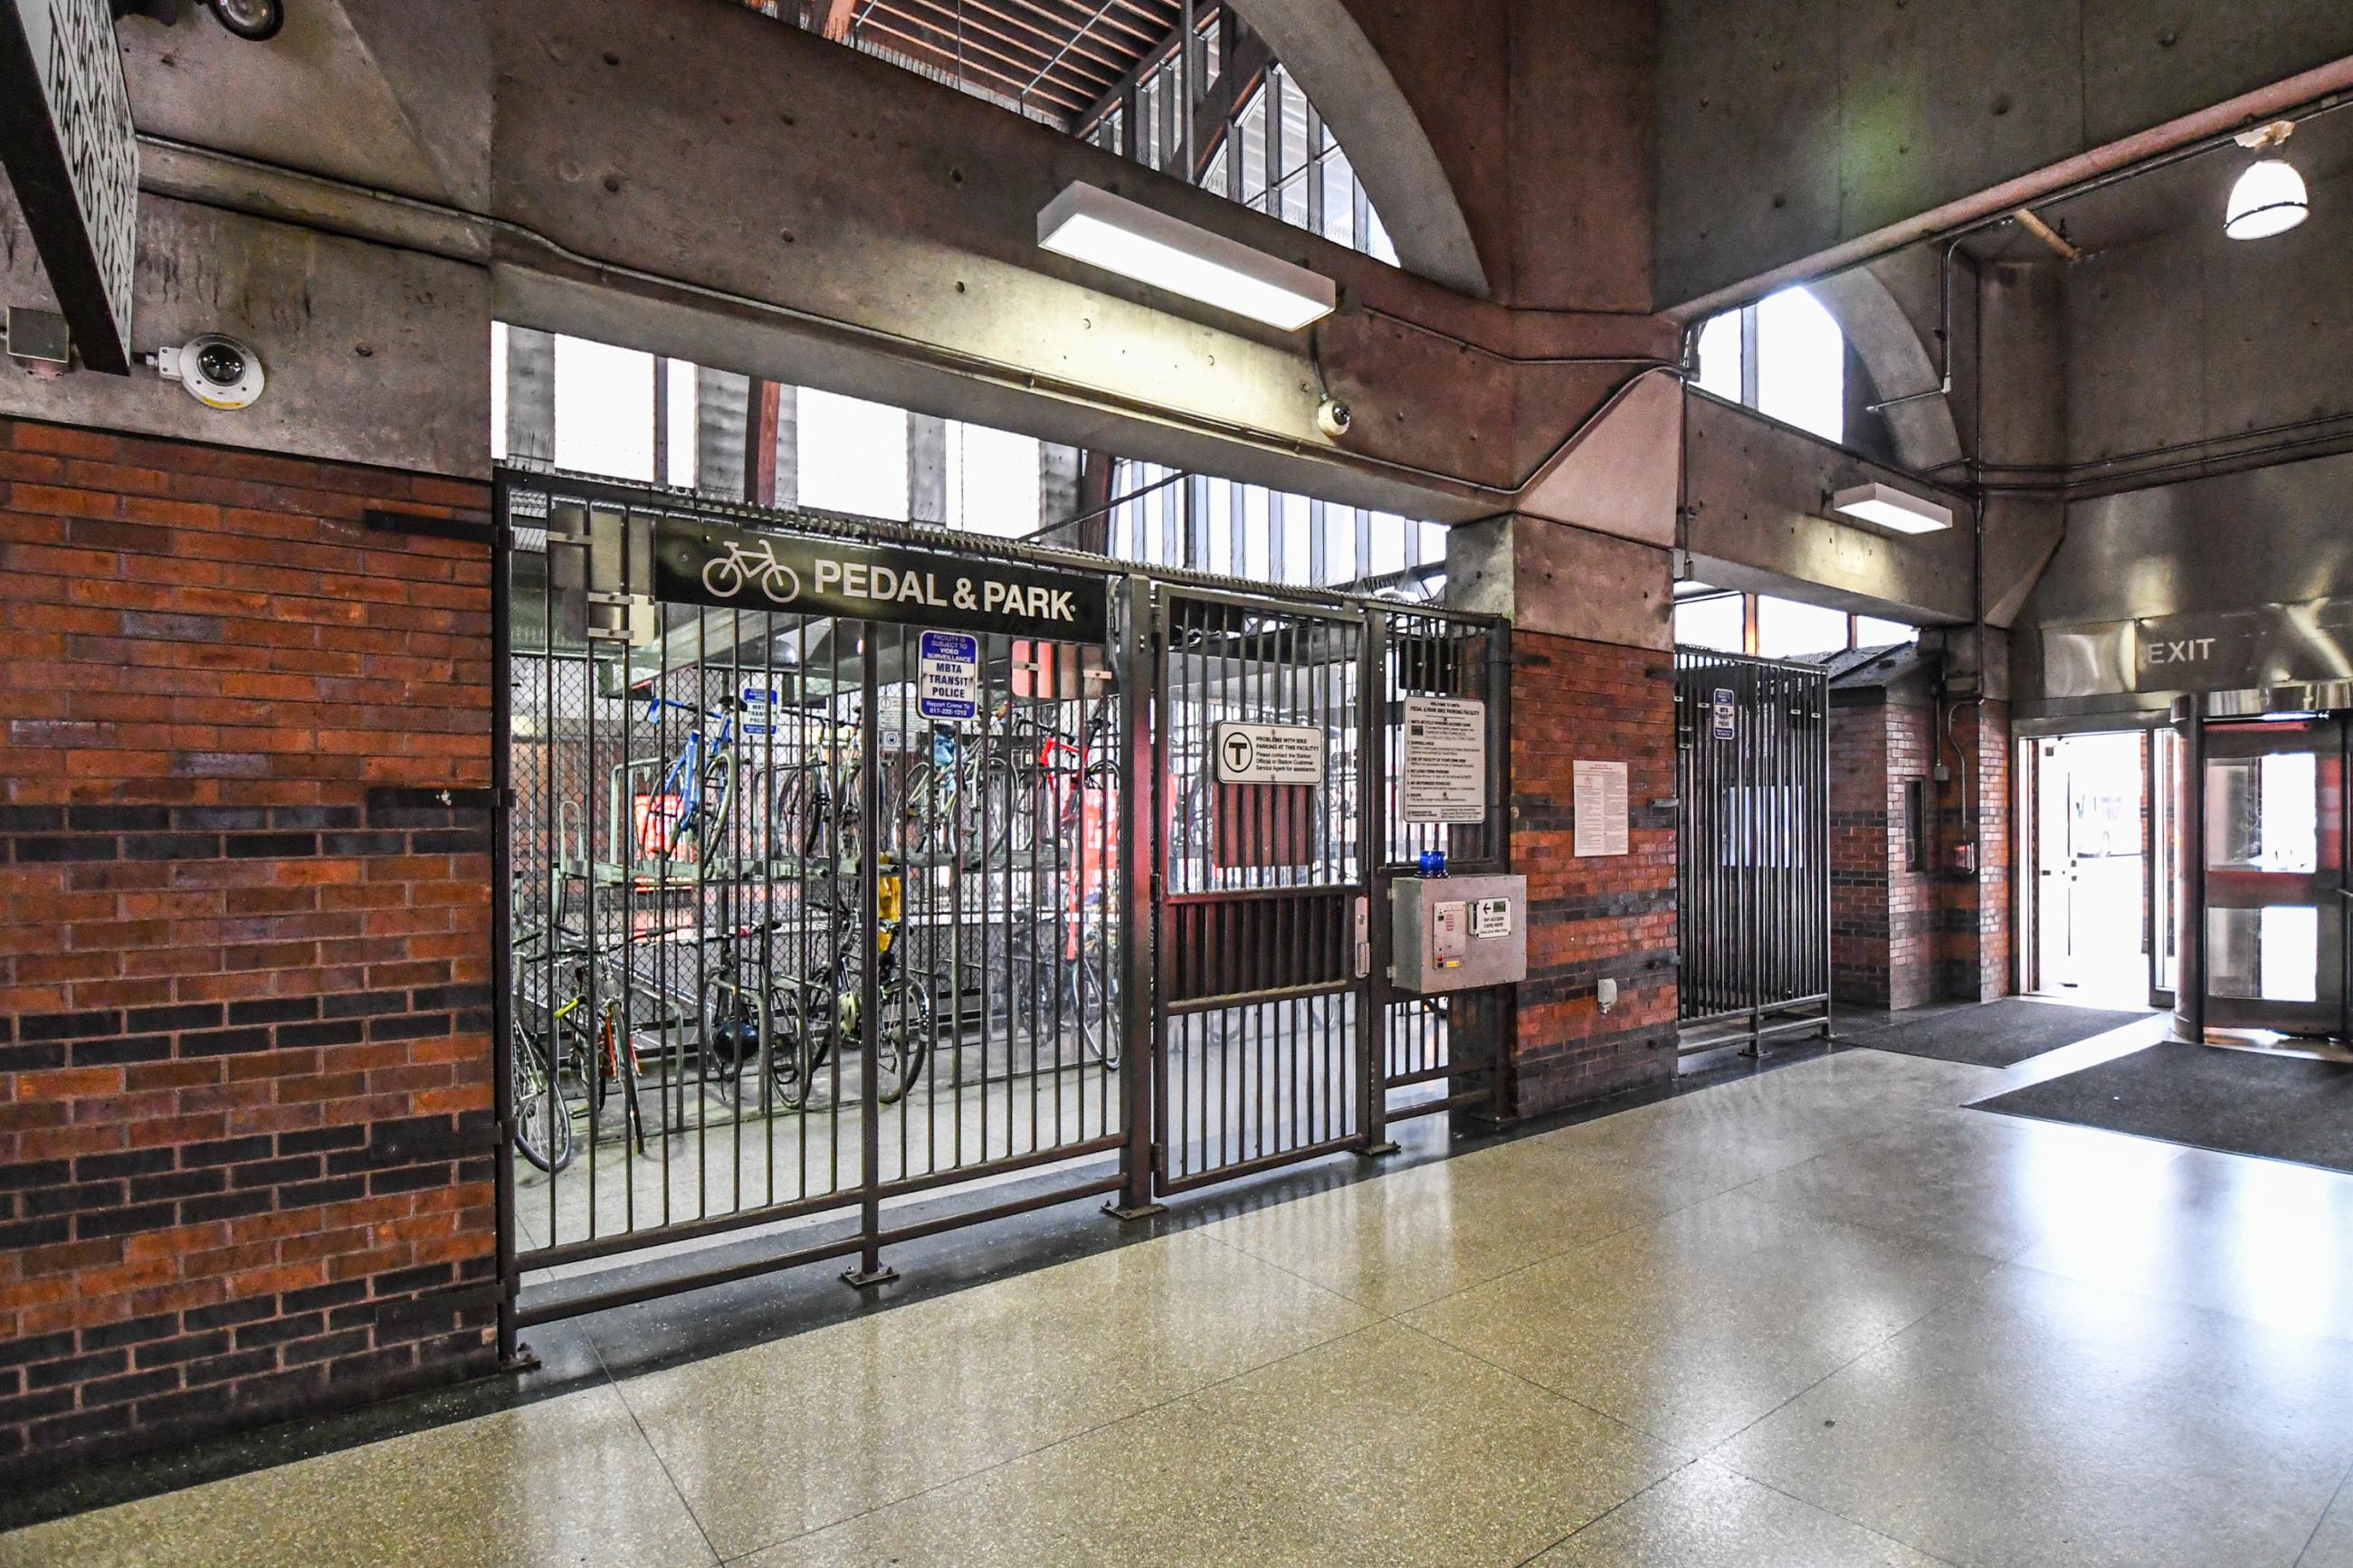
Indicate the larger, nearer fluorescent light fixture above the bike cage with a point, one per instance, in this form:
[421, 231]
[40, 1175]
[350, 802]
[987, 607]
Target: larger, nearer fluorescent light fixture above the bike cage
[1133, 241]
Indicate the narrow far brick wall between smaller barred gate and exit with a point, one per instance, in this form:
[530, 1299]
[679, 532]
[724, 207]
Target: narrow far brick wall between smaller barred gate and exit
[1884, 916]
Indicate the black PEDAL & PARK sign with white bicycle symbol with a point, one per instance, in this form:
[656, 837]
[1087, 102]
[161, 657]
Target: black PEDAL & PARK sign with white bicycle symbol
[716, 563]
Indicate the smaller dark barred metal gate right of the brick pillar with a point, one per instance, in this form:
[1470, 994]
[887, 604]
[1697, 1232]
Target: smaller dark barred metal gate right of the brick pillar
[1752, 847]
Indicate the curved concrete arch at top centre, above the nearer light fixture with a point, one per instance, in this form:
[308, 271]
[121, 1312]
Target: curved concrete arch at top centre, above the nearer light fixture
[1326, 51]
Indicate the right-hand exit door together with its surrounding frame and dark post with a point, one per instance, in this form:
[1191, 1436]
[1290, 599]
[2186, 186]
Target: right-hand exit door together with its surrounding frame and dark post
[2262, 899]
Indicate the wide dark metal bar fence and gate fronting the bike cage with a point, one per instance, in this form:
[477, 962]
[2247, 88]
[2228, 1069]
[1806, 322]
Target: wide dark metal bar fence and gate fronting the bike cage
[832, 930]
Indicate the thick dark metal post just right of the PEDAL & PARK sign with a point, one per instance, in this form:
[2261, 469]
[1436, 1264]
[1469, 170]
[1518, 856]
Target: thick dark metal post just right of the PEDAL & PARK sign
[1140, 866]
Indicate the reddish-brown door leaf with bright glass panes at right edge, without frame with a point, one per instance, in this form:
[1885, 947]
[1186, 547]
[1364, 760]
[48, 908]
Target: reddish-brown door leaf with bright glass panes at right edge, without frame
[2277, 878]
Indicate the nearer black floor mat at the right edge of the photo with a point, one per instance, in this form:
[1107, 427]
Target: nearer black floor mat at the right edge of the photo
[2206, 1097]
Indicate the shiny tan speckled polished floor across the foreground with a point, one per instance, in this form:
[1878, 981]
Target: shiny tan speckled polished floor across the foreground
[1818, 1318]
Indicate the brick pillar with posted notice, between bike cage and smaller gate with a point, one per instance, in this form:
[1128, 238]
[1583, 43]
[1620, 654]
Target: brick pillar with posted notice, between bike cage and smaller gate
[1601, 916]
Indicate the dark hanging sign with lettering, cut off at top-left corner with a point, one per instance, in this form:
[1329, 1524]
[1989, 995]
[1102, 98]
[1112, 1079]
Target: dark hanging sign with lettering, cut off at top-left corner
[74, 163]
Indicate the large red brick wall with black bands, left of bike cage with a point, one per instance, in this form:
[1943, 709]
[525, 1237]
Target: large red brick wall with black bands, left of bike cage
[246, 1144]
